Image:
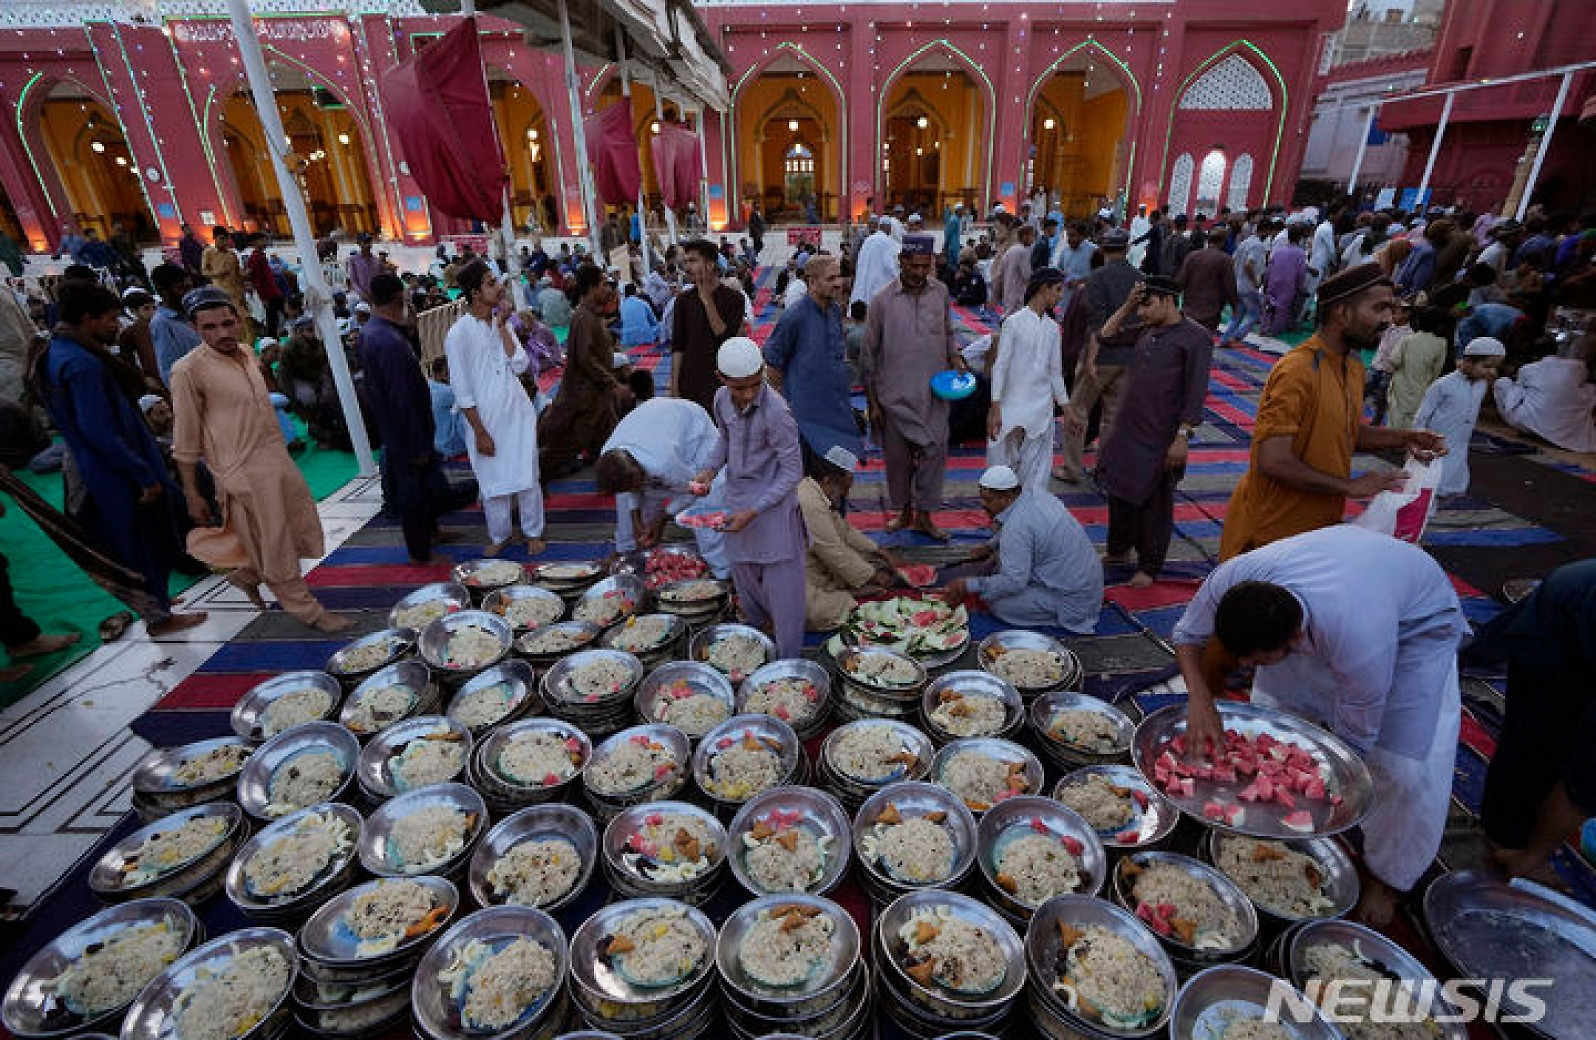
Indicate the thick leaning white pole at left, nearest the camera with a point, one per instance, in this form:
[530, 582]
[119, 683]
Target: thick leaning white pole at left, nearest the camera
[317, 294]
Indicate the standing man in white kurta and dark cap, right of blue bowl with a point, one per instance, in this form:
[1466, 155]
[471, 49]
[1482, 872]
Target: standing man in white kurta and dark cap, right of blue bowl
[1029, 380]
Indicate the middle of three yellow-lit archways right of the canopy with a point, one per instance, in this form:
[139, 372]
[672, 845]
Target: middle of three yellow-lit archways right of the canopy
[936, 138]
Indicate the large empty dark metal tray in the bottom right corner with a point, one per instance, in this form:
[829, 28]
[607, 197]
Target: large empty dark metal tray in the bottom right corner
[1490, 929]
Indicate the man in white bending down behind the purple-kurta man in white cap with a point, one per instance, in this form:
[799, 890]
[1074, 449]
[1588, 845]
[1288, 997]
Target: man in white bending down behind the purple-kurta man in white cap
[658, 449]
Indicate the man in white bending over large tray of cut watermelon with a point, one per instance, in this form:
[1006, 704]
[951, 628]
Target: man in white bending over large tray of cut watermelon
[1359, 632]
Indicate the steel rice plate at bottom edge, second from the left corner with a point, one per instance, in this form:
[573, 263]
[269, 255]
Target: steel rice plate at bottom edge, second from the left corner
[234, 987]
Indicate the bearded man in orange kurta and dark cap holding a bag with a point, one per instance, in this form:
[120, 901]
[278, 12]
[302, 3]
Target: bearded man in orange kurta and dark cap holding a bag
[1310, 423]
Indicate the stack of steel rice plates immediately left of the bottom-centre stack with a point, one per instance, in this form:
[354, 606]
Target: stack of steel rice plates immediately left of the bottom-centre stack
[663, 987]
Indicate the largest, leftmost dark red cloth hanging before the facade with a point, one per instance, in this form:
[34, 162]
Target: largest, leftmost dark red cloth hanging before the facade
[438, 104]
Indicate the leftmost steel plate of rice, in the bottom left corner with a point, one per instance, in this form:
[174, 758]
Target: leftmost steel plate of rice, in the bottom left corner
[93, 971]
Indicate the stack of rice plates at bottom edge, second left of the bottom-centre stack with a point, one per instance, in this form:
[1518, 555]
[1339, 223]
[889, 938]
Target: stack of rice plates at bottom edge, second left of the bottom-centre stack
[441, 998]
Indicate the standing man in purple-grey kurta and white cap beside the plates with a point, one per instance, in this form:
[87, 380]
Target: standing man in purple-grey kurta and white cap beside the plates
[765, 537]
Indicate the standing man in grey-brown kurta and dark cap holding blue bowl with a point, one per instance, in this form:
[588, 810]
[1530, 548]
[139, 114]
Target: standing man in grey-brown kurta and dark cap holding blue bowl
[909, 339]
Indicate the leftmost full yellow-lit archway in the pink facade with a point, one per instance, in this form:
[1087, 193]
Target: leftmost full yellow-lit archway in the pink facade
[95, 165]
